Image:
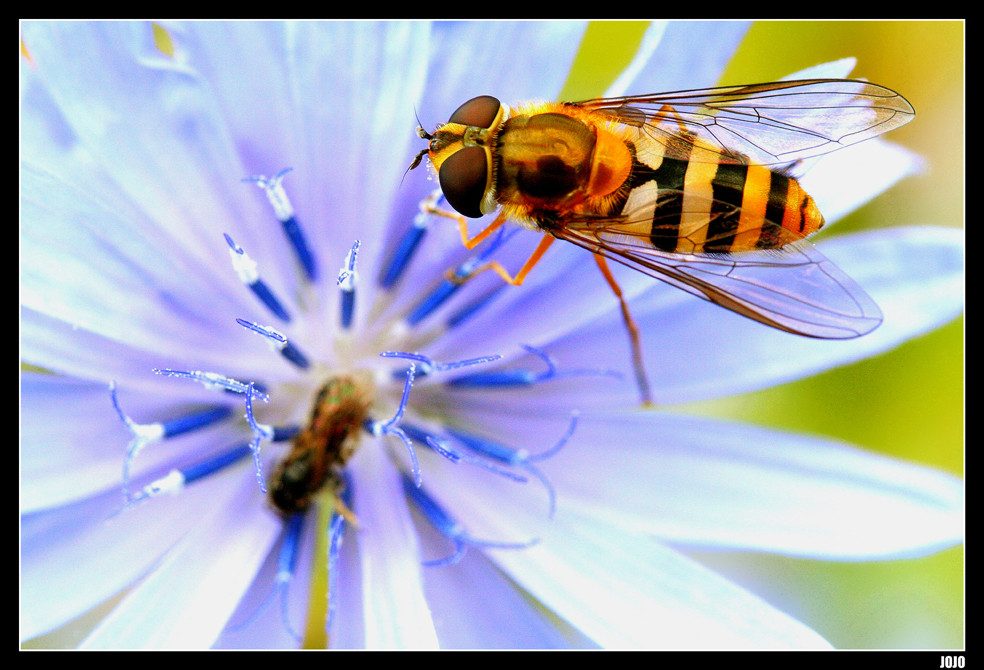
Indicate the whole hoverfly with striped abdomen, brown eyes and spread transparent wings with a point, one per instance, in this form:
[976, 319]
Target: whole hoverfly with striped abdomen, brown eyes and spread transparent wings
[693, 187]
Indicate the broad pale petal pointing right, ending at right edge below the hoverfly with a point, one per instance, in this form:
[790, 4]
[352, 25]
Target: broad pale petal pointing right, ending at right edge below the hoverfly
[728, 486]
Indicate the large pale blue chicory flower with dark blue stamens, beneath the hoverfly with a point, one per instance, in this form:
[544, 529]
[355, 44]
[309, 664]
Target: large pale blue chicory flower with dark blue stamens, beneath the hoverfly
[538, 483]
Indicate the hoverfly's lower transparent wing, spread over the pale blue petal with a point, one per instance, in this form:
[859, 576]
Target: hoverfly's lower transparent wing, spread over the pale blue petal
[793, 288]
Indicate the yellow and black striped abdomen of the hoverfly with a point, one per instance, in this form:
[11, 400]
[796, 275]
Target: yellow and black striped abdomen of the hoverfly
[706, 207]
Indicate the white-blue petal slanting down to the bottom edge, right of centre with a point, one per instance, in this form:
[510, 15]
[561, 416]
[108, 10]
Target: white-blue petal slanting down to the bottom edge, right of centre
[621, 589]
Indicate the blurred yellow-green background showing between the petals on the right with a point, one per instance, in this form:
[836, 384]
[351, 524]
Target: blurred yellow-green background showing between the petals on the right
[908, 402]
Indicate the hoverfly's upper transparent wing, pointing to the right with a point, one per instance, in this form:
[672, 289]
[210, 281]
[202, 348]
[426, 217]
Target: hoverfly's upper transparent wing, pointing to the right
[768, 124]
